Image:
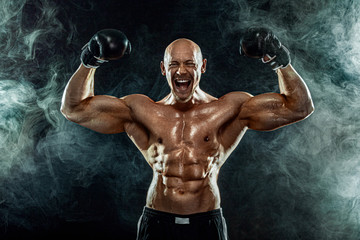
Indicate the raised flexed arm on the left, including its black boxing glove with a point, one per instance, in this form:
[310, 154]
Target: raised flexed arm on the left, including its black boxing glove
[104, 114]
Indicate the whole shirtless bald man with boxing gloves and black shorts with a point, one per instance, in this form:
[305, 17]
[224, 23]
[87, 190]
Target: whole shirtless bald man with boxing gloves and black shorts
[187, 136]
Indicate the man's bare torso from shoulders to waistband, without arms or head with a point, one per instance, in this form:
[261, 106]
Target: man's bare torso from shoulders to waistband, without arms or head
[185, 150]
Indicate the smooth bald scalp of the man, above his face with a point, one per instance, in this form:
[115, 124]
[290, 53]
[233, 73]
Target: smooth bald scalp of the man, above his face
[183, 44]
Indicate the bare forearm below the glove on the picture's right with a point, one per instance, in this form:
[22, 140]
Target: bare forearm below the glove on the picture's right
[293, 87]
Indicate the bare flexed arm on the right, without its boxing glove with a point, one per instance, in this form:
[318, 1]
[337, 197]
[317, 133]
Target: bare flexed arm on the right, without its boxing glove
[269, 111]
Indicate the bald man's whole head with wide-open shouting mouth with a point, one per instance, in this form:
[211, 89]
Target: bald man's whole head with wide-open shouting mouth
[182, 66]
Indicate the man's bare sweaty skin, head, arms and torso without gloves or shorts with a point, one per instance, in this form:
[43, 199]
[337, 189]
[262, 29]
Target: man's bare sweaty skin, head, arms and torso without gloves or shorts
[187, 136]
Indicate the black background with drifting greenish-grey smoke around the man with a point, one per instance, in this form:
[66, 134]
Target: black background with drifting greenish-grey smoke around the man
[58, 179]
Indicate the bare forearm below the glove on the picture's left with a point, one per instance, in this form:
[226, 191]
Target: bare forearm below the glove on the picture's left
[79, 87]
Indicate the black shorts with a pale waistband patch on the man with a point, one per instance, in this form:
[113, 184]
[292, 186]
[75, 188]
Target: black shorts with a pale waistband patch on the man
[157, 225]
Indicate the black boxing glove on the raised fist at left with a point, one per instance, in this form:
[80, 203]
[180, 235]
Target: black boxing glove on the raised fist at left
[105, 45]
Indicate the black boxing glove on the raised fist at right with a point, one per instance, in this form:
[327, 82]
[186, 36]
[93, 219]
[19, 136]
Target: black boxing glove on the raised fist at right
[261, 42]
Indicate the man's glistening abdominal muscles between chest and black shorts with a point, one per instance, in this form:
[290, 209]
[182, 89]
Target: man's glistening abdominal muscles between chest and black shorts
[183, 185]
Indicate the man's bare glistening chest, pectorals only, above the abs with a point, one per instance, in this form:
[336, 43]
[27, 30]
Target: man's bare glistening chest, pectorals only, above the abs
[194, 127]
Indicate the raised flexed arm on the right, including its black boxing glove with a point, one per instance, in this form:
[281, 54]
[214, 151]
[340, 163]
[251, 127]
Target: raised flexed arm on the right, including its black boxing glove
[273, 110]
